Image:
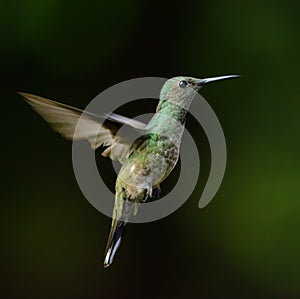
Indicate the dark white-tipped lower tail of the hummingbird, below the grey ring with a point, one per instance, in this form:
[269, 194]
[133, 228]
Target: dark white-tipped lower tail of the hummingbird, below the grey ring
[114, 241]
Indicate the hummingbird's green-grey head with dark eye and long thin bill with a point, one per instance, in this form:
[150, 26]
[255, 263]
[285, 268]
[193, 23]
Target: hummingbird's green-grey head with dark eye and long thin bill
[181, 90]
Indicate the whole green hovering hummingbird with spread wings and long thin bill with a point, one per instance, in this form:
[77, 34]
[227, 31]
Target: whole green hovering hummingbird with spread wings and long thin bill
[146, 161]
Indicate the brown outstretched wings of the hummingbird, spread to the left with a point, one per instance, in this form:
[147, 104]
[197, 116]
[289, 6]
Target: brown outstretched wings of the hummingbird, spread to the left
[63, 119]
